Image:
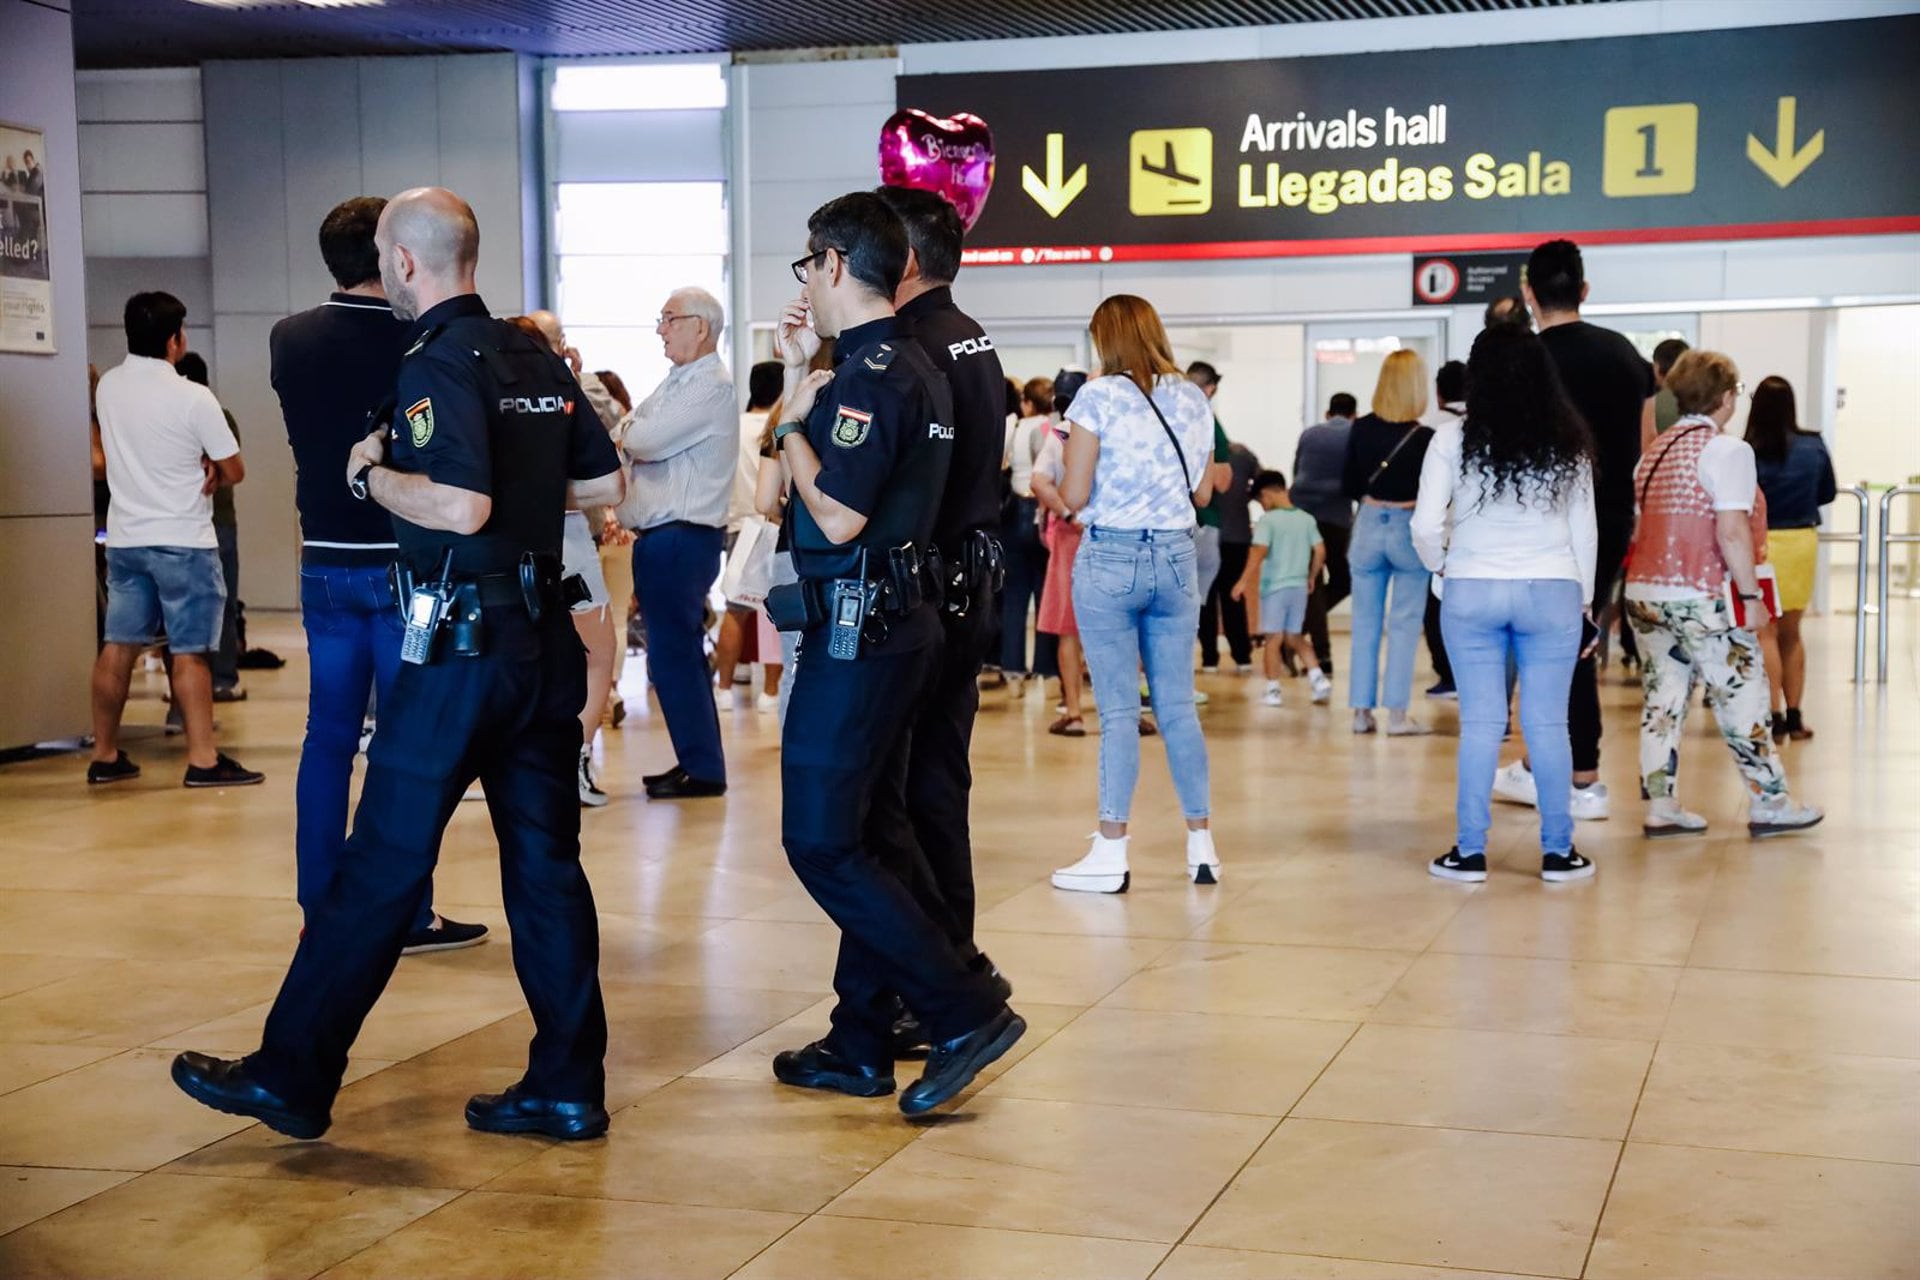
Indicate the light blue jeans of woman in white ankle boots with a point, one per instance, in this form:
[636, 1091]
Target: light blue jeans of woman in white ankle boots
[1138, 598]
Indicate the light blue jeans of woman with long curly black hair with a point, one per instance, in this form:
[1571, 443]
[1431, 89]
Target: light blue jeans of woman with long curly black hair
[1537, 625]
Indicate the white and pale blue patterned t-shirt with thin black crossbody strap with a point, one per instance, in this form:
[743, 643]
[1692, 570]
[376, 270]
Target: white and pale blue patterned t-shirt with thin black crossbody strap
[1140, 483]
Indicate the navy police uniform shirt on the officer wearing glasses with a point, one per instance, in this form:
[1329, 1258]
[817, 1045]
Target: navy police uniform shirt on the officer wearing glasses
[884, 435]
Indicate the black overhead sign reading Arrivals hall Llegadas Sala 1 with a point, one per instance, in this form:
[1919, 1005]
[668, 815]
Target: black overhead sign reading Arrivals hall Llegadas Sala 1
[1716, 135]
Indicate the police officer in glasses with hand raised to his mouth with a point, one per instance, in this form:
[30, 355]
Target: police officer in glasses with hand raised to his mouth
[869, 450]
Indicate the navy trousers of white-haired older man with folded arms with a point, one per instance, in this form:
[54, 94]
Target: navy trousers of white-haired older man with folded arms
[675, 567]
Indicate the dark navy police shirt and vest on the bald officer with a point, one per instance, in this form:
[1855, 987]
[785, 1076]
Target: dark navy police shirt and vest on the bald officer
[483, 408]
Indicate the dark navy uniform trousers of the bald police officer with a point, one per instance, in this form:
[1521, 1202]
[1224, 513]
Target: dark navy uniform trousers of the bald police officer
[512, 719]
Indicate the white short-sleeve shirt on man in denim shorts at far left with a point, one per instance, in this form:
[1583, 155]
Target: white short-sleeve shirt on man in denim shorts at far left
[156, 427]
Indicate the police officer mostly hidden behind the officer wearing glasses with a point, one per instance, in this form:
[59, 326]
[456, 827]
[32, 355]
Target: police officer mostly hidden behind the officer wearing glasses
[940, 778]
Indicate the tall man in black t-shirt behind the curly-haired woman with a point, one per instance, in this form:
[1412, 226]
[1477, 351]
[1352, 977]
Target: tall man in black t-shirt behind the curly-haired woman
[1612, 387]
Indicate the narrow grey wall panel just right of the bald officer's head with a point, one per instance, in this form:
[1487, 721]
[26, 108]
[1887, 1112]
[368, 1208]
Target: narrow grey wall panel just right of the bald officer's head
[481, 160]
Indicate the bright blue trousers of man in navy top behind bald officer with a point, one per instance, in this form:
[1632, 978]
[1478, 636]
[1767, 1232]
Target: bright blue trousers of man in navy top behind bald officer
[354, 638]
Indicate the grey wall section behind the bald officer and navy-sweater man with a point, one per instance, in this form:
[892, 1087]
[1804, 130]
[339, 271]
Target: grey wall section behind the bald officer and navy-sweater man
[287, 141]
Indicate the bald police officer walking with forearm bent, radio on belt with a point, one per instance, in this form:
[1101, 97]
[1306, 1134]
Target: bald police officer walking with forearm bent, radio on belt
[491, 442]
